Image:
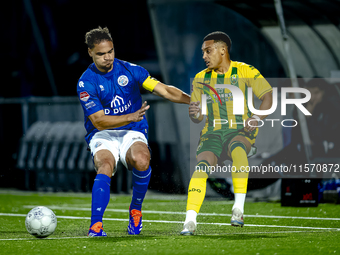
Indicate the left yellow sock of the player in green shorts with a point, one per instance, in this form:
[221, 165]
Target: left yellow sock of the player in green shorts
[198, 186]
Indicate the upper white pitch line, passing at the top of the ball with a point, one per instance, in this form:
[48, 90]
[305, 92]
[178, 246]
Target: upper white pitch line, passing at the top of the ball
[183, 213]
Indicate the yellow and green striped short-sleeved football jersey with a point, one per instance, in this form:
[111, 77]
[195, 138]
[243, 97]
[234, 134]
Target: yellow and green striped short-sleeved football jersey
[221, 108]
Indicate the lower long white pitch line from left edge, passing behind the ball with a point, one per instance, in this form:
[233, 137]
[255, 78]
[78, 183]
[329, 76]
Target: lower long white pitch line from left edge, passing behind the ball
[178, 222]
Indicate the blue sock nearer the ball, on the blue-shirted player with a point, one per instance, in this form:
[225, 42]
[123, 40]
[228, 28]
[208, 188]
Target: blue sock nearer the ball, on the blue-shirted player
[100, 197]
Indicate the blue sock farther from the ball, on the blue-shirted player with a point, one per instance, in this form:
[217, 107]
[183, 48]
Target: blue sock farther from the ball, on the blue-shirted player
[140, 182]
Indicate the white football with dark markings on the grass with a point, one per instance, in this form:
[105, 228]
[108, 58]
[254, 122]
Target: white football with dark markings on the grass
[41, 222]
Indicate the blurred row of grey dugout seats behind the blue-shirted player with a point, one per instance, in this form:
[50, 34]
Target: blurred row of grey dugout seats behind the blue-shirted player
[55, 157]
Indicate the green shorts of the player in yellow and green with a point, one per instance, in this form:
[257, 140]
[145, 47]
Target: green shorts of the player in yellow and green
[218, 141]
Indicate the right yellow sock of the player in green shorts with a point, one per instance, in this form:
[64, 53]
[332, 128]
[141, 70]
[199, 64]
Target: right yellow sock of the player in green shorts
[240, 164]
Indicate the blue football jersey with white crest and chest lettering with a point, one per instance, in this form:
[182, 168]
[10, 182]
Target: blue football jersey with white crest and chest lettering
[116, 93]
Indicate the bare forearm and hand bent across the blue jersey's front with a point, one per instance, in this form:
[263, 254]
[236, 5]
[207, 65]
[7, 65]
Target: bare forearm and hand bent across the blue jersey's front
[102, 121]
